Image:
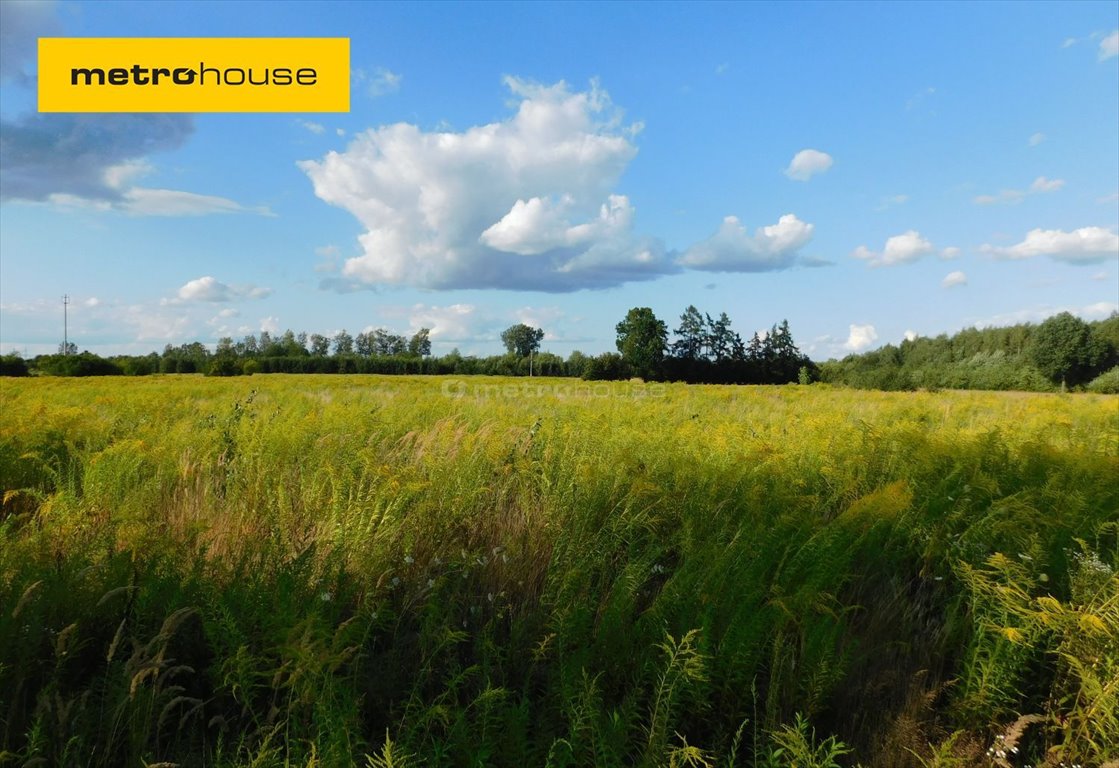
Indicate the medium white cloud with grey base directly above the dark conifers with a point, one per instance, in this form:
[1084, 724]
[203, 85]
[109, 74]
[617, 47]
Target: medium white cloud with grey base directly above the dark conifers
[734, 249]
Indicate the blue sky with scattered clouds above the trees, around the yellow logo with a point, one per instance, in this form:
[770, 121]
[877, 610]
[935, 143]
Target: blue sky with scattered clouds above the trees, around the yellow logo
[866, 171]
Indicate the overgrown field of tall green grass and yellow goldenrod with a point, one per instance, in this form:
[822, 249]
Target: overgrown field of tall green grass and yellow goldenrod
[394, 572]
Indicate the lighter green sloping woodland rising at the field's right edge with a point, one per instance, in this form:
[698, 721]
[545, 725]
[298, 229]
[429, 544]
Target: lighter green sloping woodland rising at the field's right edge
[1062, 353]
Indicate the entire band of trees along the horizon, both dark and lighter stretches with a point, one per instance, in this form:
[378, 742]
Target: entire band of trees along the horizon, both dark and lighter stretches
[1064, 352]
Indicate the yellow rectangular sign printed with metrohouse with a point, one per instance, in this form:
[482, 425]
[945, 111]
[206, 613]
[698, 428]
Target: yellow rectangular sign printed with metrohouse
[194, 74]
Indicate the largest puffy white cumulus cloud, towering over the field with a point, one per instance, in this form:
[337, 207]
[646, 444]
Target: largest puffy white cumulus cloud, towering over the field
[526, 203]
